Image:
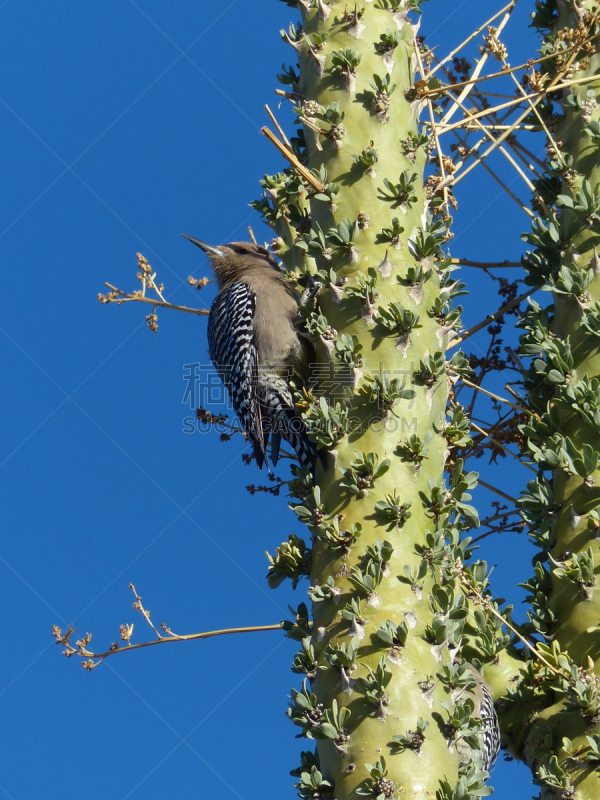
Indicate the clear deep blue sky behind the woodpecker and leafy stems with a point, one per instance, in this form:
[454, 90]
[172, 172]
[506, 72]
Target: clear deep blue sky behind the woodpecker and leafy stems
[122, 125]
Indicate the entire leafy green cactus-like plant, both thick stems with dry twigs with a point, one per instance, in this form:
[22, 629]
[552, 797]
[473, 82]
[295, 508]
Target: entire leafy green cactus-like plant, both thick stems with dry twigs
[399, 608]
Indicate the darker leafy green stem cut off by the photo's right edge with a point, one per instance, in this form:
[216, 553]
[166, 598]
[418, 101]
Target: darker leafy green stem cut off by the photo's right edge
[565, 531]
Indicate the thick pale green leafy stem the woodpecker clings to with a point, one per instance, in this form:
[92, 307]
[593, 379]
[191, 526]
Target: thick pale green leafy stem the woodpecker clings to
[387, 573]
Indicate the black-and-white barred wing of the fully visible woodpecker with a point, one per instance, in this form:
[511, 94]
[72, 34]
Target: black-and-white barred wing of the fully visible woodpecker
[232, 351]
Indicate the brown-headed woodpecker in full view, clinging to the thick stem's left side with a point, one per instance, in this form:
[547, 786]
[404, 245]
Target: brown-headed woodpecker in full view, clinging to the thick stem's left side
[256, 348]
